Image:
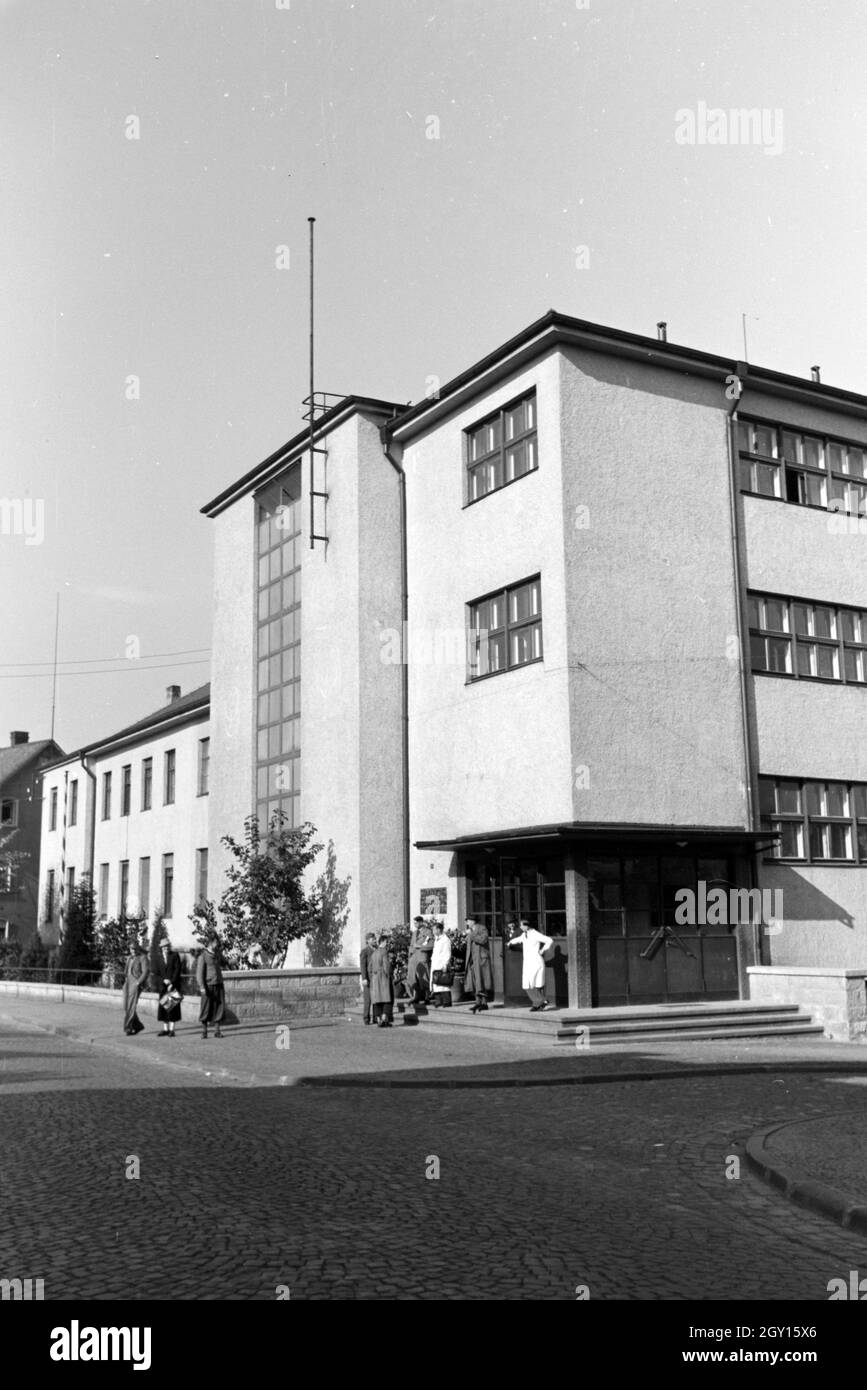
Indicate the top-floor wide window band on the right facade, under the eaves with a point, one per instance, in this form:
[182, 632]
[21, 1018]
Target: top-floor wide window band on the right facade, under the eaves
[809, 471]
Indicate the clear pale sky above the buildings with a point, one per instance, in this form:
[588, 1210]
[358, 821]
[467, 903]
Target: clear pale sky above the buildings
[156, 258]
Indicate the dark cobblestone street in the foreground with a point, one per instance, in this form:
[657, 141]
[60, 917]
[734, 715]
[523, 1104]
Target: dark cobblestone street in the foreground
[619, 1186]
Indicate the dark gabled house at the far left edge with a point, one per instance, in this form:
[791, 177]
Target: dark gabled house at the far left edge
[22, 767]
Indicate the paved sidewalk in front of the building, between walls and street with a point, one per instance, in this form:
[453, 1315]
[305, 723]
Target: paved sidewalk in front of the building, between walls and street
[348, 1054]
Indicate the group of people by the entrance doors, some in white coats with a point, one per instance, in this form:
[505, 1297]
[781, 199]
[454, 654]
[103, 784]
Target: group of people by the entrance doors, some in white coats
[430, 972]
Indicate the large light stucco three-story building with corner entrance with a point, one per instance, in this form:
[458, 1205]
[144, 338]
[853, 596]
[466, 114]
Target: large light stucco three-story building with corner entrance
[586, 641]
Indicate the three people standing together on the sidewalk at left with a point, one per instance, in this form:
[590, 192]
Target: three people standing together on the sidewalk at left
[209, 978]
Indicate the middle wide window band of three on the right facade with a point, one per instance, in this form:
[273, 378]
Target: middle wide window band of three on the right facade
[791, 637]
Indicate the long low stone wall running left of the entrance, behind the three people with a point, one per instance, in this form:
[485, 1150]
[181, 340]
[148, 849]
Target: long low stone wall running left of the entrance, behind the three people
[251, 995]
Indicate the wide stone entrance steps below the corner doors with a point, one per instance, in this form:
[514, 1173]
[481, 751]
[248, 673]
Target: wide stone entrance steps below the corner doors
[645, 1024]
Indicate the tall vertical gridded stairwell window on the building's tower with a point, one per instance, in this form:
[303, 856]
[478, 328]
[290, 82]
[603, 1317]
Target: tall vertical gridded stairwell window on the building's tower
[279, 658]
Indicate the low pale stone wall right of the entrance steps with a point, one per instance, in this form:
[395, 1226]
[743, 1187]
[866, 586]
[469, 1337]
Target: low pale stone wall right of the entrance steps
[837, 999]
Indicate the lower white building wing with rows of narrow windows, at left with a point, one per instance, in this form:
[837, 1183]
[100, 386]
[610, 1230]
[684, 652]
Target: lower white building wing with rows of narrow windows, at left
[131, 812]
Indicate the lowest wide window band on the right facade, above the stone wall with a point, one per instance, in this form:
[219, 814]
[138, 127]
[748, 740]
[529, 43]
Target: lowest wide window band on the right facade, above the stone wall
[819, 822]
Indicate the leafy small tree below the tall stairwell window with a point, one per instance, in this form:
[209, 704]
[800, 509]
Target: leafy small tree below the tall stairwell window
[265, 904]
